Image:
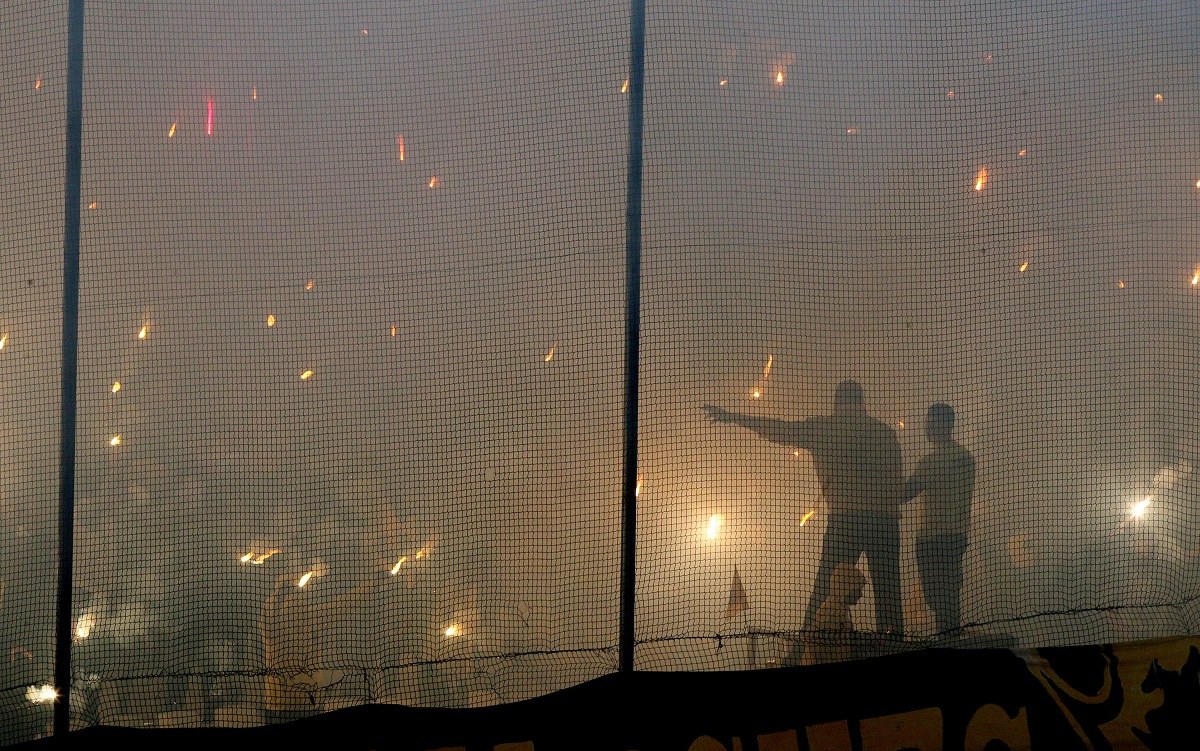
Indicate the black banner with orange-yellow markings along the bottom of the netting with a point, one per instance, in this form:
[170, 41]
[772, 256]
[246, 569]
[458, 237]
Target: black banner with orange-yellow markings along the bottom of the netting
[1143, 695]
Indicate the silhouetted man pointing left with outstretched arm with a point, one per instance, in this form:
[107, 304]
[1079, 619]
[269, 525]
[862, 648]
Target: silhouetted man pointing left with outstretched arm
[857, 460]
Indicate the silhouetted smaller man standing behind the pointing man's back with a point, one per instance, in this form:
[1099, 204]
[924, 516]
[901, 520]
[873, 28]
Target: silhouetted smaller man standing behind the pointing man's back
[947, 479]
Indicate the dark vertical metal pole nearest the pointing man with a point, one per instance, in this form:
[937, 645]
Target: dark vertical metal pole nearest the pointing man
[633, 327]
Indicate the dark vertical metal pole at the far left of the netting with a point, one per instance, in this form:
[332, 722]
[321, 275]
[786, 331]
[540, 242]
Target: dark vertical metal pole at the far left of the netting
[73, 206]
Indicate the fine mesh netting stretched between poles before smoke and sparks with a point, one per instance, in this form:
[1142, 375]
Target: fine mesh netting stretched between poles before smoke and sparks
[353, 323]
